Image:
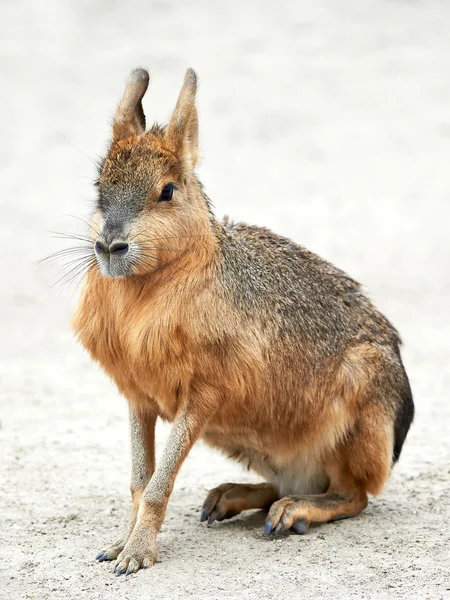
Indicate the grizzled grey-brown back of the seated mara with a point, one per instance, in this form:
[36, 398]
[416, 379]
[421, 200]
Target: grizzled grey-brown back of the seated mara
[302, 298]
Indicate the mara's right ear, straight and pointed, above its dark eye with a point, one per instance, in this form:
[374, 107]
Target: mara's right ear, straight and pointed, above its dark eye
[182, 132]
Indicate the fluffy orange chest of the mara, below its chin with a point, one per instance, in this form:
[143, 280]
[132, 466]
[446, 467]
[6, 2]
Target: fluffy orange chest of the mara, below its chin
[142, 344]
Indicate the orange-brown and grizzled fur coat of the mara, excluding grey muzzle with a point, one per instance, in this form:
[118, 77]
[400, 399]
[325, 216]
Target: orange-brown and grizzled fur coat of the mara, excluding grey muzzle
[238, 336]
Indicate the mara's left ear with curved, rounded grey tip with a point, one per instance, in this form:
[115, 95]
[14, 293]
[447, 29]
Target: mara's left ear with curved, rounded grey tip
[129, 118]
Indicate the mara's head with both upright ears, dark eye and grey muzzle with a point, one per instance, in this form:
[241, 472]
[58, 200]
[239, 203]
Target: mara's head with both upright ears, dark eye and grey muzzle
[150, 209]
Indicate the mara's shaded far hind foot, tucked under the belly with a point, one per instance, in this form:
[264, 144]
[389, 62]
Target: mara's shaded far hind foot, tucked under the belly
[229, 499]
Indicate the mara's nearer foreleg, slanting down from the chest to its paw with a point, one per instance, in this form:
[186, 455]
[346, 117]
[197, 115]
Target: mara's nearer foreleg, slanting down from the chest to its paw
[140, 549]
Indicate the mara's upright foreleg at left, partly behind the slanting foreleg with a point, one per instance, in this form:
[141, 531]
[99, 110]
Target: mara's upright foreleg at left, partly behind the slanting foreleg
[142, 438]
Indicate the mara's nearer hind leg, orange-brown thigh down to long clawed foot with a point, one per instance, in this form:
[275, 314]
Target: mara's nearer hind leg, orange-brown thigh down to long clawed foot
[361, 465]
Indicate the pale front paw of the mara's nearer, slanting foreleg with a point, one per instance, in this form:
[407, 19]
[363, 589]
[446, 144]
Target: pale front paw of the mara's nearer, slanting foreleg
[139, 552]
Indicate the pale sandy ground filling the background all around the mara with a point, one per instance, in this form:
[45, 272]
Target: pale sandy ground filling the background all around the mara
[329, 122]
